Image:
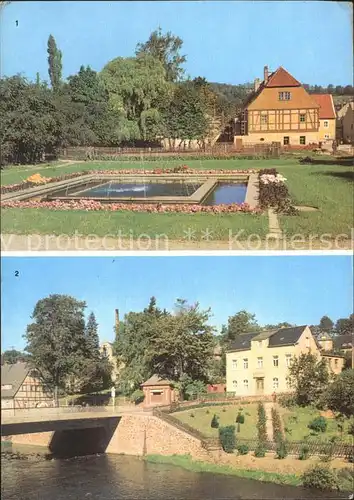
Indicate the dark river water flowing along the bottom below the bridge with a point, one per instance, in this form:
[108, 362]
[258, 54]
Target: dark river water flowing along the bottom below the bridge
[118, 477]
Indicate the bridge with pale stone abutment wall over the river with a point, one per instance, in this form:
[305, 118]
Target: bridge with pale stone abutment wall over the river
[125, 430]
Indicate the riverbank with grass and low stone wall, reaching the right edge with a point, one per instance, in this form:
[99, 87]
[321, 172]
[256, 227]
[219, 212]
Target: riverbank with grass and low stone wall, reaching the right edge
[257, 473]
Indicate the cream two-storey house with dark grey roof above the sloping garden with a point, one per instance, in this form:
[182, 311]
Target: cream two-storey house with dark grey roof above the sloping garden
[258, 363]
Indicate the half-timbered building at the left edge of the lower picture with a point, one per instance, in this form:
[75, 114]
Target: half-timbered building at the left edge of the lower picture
[21, 387]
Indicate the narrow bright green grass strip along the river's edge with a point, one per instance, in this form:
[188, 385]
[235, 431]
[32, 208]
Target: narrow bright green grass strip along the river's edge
[186, 462]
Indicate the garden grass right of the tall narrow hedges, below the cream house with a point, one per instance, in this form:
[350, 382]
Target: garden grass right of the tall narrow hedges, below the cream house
[299, 430]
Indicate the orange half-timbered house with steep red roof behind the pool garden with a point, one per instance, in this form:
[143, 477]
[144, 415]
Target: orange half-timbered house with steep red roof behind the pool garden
[281, 110]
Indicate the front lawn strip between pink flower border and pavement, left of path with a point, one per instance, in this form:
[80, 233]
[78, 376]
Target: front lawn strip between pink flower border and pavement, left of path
[131, 225]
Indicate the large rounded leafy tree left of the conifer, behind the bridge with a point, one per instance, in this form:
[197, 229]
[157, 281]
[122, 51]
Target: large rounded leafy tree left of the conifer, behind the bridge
[56, 339]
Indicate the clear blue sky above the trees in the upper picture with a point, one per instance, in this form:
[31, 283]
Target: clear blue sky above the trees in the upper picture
[225, 41]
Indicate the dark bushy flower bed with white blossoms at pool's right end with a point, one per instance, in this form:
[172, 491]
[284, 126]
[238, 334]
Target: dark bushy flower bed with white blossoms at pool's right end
[273, 192]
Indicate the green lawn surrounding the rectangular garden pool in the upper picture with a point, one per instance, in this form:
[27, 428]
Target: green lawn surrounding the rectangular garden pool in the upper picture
[327, 186]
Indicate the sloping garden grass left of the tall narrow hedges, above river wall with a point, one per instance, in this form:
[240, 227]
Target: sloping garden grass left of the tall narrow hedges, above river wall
[202, 420]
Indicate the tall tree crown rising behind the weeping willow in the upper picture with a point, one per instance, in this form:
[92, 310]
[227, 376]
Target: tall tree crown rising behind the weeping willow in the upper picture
[165, 48]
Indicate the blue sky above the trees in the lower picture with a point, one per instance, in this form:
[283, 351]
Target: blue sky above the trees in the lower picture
[295, 289]
